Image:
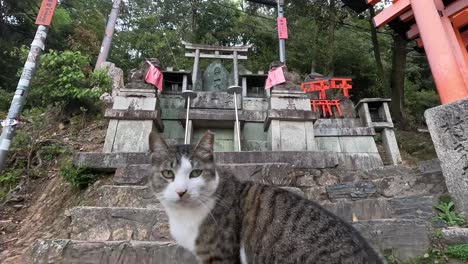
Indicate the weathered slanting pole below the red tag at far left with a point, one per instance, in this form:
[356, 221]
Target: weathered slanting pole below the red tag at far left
[19, 99]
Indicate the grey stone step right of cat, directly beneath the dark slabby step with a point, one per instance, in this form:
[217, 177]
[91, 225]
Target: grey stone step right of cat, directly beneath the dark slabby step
[418, 208]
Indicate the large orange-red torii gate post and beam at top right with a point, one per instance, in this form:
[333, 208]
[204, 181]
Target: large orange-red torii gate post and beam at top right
[438, 26]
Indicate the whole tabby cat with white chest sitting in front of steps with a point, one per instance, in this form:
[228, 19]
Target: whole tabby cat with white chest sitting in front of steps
[225, 221]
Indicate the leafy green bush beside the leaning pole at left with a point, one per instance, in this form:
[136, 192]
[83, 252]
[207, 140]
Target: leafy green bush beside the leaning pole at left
[67, 77]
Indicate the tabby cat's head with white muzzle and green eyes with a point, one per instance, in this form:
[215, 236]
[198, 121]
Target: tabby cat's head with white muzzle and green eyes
[183, 176]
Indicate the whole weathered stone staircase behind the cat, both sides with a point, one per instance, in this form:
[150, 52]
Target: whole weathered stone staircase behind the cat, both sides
[392, 206]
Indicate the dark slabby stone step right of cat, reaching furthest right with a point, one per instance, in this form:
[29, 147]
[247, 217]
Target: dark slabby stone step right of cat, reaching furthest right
[390, 187]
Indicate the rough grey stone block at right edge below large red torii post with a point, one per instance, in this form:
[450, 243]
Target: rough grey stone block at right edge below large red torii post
[448, 125]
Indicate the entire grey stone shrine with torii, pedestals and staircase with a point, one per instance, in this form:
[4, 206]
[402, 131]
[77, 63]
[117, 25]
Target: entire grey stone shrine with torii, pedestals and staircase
[333, 161]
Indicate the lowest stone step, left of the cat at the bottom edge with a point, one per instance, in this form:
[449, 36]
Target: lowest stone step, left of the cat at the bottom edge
[107, 252]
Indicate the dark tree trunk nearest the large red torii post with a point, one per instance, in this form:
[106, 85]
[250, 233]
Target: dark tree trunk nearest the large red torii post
[398, 79]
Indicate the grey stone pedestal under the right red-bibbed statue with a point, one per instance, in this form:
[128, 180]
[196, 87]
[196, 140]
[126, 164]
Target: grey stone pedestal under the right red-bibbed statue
[290, 121]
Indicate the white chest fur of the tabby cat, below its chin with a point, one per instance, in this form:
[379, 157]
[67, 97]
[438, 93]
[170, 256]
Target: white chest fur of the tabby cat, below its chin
[185, 223]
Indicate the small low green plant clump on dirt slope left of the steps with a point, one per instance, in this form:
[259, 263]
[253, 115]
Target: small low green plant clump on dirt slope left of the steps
[79, 178]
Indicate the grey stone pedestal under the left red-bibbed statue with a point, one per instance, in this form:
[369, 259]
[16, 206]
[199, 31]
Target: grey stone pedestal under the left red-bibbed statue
[134, 115]
